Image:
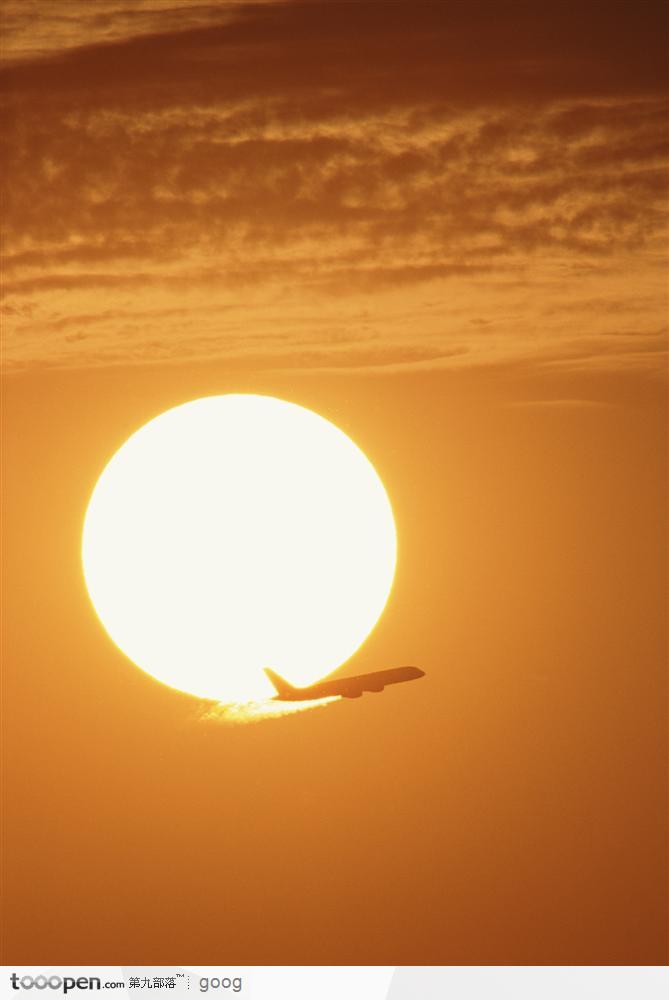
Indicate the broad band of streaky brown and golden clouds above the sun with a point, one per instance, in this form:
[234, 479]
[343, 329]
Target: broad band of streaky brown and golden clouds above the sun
[443, 182]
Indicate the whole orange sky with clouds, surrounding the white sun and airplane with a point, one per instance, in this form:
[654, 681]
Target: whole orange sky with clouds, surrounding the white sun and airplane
[443, 228]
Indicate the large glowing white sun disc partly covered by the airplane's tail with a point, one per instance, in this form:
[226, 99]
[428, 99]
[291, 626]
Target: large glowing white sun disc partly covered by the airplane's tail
[234, 533]
